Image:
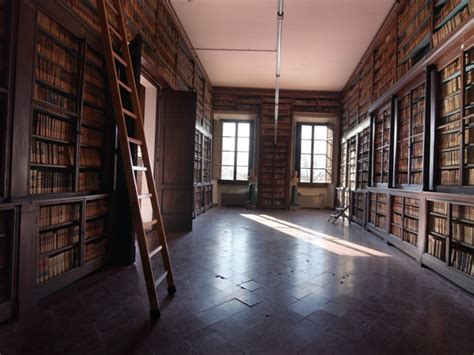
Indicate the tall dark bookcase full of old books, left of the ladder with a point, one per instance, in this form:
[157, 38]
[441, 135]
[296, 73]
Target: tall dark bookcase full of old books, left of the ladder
[71, 162]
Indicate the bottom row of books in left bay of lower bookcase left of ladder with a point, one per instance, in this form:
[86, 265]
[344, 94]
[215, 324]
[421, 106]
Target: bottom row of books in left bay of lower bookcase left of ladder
[53, 266]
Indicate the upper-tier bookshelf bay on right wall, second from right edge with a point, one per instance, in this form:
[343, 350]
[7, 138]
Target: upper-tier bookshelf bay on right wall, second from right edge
[413, 37]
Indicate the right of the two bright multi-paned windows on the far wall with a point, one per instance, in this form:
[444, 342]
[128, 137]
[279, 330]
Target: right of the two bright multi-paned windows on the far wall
[314, 153]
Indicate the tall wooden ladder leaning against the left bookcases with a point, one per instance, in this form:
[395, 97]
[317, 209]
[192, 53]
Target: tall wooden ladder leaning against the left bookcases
[128, 117]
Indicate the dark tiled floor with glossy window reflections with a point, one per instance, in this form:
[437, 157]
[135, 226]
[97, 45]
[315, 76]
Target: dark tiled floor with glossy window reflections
[265, 283]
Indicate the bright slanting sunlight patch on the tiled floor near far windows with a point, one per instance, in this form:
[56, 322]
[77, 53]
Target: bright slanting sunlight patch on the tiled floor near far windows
[323, 240]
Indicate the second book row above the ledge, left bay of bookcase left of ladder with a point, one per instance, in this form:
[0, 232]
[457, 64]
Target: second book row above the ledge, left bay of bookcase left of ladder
[52, 154]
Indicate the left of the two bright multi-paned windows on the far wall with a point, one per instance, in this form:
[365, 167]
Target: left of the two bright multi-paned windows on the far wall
[236, 138]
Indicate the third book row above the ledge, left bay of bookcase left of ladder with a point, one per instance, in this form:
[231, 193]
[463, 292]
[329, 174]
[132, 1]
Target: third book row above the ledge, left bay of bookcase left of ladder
[49, 127]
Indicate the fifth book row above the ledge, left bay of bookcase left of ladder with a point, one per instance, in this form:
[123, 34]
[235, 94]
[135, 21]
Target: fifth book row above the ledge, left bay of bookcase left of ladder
[55, 75]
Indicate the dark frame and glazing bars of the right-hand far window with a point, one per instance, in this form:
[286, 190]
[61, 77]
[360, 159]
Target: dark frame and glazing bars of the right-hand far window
[299, 126]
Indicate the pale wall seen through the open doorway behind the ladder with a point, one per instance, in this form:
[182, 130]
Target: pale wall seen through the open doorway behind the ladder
[150, 118]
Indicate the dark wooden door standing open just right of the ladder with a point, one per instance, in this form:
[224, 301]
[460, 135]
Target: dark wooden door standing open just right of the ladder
[174, 165]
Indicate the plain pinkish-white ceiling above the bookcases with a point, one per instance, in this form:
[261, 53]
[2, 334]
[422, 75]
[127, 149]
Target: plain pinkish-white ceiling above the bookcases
[323, 40]
